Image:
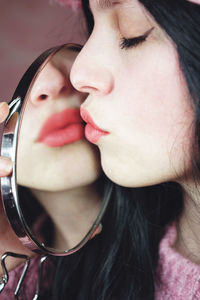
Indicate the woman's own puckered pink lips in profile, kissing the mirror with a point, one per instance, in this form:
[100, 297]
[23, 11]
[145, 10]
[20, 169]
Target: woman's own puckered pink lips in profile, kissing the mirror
[92, 132]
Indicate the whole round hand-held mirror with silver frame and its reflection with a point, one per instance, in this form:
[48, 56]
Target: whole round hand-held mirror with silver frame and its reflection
[55, 198]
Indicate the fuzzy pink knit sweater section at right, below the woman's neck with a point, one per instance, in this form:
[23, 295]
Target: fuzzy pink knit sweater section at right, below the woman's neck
[177, 277]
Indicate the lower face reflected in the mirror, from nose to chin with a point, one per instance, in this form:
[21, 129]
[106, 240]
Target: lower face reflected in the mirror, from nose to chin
[53, 154]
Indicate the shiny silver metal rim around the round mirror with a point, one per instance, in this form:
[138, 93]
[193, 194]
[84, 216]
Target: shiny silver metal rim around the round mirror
[9, 187]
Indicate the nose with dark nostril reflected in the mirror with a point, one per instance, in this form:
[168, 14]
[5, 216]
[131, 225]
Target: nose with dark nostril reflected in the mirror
[50, 84]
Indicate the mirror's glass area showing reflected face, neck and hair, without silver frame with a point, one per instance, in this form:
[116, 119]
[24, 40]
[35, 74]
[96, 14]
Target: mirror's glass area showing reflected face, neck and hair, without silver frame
[58, 172]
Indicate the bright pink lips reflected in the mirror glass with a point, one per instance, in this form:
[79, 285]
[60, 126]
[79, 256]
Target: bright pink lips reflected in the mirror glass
[62, 128]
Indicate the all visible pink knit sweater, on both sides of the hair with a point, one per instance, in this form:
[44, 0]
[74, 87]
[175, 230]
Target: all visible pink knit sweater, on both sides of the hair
[178, 278]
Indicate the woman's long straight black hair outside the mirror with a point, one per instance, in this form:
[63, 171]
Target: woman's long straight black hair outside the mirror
[121, 262]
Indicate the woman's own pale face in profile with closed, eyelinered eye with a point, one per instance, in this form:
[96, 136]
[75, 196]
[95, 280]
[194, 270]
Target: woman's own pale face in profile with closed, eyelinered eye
[137, 96]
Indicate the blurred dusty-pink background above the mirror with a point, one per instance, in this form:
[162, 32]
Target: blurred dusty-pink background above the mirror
[27, 28]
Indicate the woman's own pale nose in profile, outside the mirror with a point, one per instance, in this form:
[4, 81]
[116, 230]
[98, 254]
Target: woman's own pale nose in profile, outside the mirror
[89, 74]
